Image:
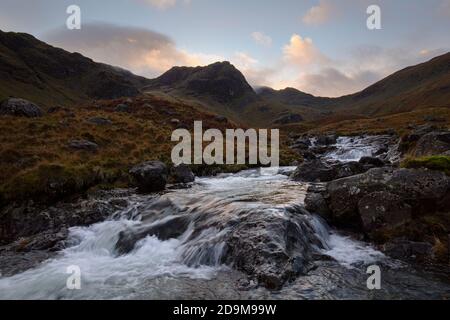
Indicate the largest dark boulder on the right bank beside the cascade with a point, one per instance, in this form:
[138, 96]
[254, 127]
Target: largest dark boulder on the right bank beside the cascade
[423, 190]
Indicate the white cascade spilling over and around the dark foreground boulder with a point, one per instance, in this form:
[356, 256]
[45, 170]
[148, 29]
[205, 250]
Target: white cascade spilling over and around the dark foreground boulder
[252, 221]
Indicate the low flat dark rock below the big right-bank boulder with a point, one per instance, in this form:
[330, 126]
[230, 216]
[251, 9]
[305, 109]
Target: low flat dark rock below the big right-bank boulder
[408, 250]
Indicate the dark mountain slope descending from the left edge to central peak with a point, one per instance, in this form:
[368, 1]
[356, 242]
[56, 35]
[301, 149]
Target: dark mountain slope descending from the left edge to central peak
[34, 70]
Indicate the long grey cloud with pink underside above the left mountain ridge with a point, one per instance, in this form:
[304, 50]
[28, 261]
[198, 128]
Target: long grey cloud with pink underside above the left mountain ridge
[141, 51]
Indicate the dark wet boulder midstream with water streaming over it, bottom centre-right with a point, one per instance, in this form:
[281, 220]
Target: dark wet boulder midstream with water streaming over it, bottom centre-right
[272, 249]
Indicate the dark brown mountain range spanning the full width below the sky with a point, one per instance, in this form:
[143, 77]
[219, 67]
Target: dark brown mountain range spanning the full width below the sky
[34, 70]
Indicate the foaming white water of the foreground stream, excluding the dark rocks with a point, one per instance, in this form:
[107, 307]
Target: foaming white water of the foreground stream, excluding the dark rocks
[143, 271]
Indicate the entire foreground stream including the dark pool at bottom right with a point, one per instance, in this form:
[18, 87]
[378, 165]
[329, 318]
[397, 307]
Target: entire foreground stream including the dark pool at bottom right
[177, 246]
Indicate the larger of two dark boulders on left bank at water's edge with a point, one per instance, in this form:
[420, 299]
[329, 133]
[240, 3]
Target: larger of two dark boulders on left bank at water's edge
[150, 176]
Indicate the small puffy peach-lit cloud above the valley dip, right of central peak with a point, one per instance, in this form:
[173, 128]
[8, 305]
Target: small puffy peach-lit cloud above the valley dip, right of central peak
[301, 51]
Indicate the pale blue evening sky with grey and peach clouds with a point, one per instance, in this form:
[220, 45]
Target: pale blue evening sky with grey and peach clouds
[322, 47]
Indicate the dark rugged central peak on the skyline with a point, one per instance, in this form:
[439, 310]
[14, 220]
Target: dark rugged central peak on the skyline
[220, 83]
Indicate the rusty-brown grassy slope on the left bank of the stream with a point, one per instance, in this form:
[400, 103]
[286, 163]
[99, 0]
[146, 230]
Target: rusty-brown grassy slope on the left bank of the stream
[36, 162]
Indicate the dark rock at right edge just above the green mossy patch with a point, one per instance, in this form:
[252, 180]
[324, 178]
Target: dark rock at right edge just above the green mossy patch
[433, 143]
